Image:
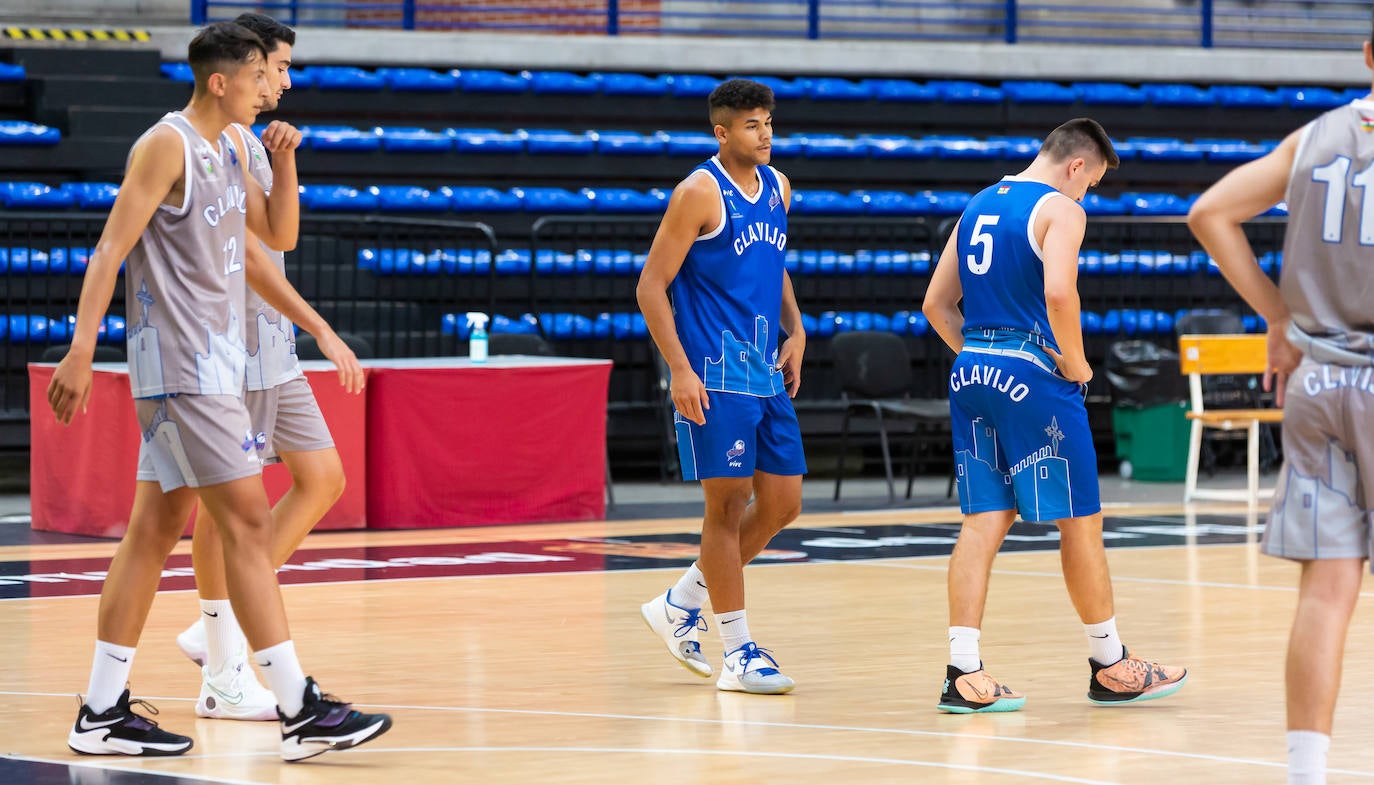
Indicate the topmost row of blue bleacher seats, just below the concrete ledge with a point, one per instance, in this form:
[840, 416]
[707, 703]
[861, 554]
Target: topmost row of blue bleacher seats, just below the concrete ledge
[822, 89]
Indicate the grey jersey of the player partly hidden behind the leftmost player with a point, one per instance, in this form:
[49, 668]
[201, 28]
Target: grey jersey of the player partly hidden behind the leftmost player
[269, 335]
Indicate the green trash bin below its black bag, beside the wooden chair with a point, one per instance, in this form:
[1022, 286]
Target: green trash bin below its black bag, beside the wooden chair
[1153, 442]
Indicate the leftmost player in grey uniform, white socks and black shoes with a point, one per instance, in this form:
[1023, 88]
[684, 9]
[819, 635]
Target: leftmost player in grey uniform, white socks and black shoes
[181, 221]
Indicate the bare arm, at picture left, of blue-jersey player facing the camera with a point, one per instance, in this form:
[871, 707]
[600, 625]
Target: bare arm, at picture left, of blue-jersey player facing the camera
[693, 210]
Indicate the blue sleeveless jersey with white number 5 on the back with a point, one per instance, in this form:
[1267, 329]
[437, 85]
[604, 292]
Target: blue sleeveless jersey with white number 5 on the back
[1001, 266]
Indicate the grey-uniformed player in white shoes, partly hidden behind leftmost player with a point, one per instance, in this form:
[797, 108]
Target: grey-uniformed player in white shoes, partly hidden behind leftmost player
[288, 427]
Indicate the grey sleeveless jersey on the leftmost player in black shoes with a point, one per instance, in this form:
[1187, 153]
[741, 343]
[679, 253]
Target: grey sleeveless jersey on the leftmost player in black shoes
[185, 278]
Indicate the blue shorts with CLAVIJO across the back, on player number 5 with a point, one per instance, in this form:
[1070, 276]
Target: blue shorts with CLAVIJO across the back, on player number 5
[1022, 439]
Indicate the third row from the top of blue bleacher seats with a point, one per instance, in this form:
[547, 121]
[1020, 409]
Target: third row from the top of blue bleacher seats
[613, 201]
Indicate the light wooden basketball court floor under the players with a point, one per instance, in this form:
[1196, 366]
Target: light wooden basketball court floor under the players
[549, 676]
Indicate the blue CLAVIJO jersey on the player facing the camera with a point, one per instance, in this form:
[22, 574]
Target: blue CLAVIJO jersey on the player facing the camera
[728, 296]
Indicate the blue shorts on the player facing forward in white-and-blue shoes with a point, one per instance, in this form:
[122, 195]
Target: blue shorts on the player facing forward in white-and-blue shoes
[743, 435]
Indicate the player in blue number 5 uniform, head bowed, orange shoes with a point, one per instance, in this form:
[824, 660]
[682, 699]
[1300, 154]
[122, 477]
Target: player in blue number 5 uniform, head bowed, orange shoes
[1022, 436]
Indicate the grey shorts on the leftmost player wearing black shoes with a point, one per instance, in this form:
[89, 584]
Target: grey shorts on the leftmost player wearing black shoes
[196, 441]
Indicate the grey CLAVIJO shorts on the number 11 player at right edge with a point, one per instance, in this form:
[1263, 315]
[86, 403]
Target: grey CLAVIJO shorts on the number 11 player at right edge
[1322, 501]
